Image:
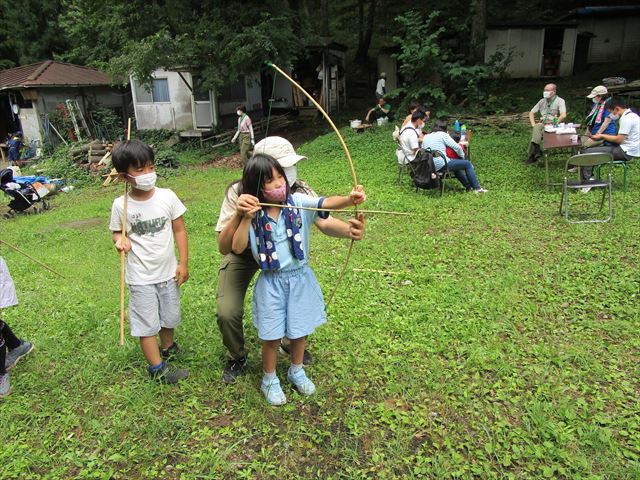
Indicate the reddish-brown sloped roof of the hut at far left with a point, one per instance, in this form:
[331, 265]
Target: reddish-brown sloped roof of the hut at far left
[52, 74]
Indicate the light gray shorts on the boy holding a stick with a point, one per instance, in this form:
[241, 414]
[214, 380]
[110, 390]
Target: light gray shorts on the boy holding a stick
[152, 307]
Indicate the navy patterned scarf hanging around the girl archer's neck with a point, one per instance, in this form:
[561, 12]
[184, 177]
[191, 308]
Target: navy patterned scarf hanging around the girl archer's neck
[267, 255]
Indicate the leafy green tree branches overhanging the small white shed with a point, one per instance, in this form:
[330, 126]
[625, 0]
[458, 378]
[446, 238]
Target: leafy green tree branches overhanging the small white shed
[219, 40]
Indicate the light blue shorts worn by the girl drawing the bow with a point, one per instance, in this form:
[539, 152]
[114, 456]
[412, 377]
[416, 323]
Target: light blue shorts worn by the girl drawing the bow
[287, 304]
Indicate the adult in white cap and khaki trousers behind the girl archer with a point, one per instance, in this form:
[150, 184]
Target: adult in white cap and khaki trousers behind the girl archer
[236, 271]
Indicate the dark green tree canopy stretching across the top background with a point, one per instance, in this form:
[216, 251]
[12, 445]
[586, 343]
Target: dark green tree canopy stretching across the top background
[222, 40]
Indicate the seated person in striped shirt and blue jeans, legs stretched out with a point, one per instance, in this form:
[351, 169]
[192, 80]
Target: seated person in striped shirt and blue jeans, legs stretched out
[439, 140]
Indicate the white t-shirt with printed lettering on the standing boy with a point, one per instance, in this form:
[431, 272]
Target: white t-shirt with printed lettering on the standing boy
[152, 257]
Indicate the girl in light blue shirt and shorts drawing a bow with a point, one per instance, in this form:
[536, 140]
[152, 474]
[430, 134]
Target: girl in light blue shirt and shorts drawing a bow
[287, 300]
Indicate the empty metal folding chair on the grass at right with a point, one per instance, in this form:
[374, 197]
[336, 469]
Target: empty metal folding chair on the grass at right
[593, 160]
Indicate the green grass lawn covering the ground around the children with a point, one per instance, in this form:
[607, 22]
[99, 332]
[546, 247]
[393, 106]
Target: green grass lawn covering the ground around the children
[503, 342]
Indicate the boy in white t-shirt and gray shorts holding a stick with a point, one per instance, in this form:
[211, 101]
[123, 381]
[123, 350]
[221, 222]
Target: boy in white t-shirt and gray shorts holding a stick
[154, 221]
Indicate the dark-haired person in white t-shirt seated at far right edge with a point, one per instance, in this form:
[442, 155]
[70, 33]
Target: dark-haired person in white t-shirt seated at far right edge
[625, 145]
